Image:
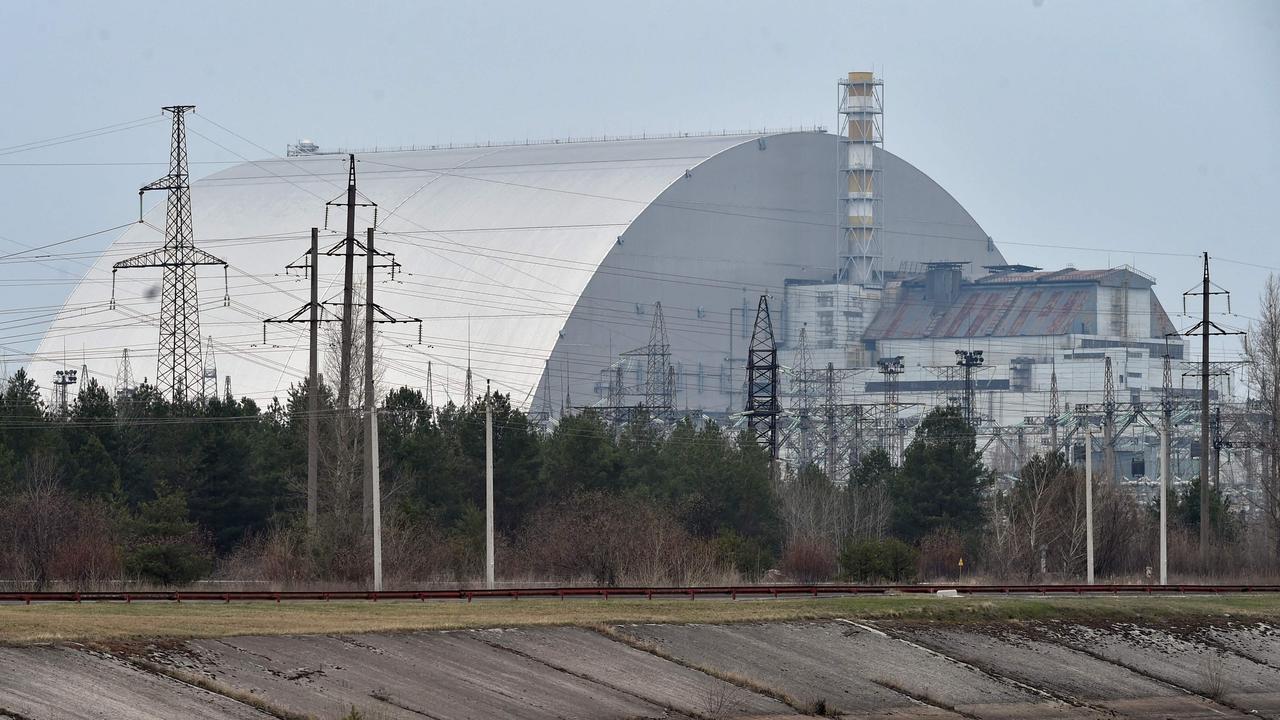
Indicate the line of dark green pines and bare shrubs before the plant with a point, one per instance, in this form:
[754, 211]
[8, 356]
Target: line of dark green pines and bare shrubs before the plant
[140, 490]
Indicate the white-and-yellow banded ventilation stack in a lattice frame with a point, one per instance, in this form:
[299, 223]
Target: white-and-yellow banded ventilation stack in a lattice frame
[862, 116]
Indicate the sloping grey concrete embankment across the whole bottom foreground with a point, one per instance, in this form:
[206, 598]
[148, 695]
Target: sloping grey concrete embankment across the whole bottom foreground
[844, 668]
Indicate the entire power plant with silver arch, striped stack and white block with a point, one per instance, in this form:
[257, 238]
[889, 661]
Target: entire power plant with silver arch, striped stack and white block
[616, 274]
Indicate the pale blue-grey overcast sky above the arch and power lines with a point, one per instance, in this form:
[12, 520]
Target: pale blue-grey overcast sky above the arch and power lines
[1087, 134]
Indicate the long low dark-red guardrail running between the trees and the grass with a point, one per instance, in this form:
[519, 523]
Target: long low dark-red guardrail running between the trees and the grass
[618, 593]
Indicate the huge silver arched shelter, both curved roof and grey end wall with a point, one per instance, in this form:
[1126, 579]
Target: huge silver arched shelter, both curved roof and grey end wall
[497, 248]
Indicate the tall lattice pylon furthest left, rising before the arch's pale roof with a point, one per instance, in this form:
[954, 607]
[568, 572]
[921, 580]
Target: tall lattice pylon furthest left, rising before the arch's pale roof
[180, 371]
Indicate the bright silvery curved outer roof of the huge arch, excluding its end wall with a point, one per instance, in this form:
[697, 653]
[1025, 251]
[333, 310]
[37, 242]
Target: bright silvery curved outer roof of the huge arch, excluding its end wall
[506, 235]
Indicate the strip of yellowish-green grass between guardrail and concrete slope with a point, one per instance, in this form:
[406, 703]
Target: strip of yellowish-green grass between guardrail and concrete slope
[106, 622]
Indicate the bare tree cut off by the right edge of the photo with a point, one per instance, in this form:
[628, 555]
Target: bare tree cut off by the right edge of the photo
[1263, 348]
